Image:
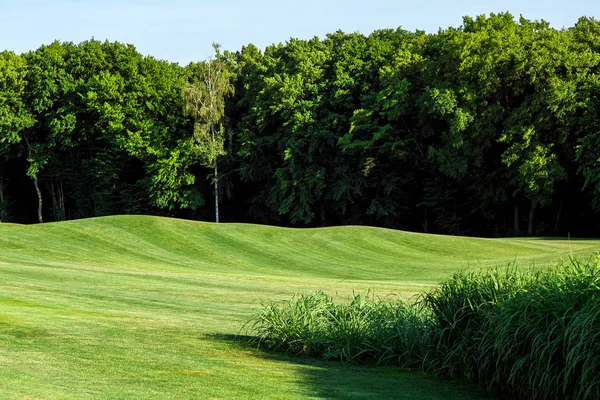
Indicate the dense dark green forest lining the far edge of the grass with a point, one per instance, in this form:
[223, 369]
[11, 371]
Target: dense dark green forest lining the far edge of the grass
[490, 129]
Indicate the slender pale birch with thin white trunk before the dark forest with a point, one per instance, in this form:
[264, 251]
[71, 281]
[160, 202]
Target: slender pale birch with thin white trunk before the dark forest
[205, 98]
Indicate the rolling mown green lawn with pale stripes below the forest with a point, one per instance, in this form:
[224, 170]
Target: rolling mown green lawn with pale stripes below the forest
[143, 307]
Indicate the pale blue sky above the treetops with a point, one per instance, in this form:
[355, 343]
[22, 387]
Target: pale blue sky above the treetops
[184, 30]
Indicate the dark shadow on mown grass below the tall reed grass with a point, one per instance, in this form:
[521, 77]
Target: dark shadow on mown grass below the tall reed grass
[335, 380]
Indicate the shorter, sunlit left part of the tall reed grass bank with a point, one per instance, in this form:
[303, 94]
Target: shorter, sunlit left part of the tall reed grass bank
[366, 329]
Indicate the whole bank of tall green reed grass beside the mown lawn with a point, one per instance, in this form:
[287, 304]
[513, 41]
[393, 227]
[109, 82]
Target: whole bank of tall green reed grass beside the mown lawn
[535, 334]
